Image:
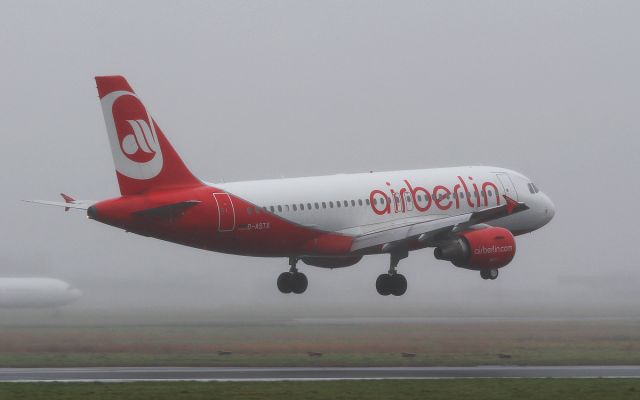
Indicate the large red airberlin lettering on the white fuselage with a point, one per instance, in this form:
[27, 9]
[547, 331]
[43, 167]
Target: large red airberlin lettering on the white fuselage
[410, 197]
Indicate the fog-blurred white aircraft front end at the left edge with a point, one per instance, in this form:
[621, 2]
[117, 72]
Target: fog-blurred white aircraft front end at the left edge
[36, 293]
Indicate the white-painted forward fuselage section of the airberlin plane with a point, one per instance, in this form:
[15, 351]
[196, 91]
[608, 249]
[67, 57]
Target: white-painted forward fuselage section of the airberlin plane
[452, 192]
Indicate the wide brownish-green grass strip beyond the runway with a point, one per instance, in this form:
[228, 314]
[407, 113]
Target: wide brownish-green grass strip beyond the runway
[374, 344]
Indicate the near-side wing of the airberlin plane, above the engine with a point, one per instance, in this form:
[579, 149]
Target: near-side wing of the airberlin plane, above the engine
[427, 230]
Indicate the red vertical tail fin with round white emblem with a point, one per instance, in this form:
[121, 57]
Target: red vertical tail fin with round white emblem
[143, 157]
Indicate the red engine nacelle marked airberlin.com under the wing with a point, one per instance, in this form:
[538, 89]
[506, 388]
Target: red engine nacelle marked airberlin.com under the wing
[479, 249]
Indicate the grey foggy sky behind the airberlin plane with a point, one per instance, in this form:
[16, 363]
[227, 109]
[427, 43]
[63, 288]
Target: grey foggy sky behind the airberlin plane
[248, 90]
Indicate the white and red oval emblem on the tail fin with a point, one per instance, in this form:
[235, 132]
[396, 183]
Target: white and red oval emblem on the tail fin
[134, 143]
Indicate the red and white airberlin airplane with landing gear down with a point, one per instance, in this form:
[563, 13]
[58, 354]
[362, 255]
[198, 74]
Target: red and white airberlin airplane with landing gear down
[469, 215]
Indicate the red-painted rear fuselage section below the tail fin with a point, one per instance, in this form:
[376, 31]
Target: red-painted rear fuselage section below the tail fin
[208, 225]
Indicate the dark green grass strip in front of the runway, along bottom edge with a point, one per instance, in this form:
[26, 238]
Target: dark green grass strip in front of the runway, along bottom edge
[476, 389]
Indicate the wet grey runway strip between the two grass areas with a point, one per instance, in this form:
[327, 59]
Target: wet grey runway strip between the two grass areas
[126, 374]
